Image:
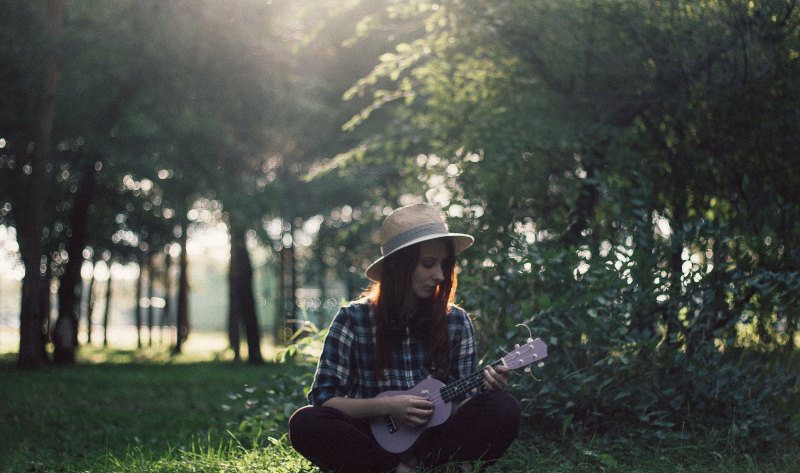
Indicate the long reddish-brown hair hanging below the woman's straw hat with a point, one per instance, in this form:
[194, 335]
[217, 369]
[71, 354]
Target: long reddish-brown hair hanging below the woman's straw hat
[387, 295]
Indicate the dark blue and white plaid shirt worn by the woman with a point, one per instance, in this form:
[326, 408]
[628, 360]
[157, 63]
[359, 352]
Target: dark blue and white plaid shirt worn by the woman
[346, 366]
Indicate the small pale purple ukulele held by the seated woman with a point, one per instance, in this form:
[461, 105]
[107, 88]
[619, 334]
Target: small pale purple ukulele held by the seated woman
[397, 437]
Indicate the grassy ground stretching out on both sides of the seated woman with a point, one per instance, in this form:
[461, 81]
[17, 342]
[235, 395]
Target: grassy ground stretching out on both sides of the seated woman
[127, 411]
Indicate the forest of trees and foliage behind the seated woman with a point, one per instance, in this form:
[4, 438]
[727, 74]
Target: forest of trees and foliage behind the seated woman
[628, 168]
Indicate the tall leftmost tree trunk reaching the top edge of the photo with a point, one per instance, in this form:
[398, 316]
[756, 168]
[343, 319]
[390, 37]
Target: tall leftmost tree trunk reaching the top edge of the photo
[30, 218]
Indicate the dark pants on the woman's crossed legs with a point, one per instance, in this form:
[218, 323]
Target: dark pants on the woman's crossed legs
[482, 429]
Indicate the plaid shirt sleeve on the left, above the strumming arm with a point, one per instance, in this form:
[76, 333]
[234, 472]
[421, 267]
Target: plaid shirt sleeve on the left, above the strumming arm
[333, 369]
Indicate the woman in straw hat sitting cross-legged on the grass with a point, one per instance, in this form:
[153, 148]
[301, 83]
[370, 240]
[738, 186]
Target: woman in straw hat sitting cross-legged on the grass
[403, 331]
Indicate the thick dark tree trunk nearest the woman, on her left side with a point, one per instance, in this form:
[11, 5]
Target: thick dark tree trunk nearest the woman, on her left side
[242, 298]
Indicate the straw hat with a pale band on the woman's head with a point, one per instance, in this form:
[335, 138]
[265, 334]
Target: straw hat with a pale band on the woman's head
[413, 224]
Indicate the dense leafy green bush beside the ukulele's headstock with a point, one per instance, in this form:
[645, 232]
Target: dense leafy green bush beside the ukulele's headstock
[617, 363]
